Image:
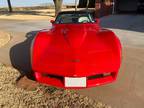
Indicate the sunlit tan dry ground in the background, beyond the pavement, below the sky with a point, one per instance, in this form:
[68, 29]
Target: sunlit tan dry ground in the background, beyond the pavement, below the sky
[40, 14]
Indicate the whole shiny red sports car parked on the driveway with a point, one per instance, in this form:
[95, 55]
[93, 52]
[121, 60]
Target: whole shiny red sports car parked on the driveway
[76, 52]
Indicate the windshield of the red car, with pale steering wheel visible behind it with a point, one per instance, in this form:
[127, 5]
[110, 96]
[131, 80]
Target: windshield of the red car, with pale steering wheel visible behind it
[68, 18]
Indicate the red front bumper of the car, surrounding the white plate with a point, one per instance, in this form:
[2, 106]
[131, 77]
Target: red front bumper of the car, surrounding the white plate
[92, 81]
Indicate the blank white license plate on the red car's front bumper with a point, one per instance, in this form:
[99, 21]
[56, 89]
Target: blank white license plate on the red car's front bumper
[75, 82]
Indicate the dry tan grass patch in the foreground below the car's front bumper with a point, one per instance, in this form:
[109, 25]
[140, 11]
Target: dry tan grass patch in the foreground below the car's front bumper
[42, 96]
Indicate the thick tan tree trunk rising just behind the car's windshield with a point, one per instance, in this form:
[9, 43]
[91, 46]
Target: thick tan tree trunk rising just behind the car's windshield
[58, 6]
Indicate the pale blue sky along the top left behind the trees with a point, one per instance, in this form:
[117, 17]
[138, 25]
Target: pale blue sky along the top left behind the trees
[3, 3]
